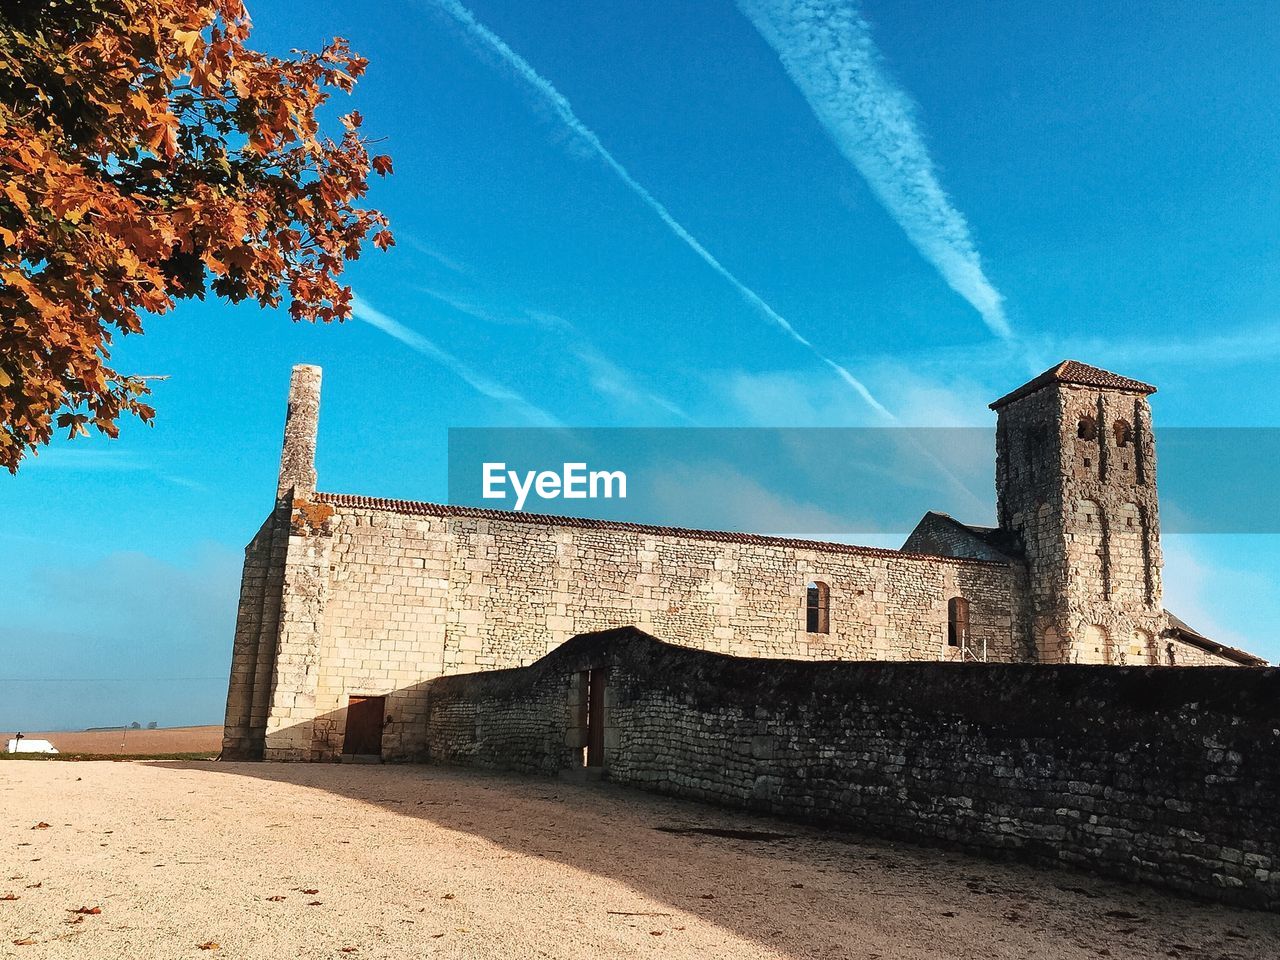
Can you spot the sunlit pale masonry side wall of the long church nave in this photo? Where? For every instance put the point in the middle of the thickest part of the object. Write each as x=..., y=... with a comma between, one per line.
x=414, y=596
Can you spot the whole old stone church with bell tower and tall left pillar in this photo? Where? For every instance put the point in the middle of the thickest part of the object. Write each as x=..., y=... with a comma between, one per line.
x=350, y=605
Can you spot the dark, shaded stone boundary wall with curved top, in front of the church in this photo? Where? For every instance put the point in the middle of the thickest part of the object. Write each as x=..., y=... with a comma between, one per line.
x=1156, y=775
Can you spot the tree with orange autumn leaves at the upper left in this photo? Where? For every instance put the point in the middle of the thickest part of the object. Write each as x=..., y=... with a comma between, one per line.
x=148, y=154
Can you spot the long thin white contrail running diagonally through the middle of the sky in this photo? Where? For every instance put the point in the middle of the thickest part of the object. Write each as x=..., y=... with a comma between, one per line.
x=565, y=111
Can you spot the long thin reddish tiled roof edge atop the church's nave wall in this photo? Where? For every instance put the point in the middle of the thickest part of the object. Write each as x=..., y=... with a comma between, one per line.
x=422, y=509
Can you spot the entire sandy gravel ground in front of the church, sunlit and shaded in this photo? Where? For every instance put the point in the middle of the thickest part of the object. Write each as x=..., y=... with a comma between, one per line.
x=286, y=861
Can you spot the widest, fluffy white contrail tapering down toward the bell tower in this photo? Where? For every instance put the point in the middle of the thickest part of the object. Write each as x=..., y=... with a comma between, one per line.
x=828, y=49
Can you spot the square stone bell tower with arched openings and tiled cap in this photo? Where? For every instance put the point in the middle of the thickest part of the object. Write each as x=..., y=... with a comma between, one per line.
x=1076, y=482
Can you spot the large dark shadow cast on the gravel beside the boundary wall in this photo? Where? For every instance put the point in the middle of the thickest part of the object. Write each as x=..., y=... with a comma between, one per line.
x=794, y=889
